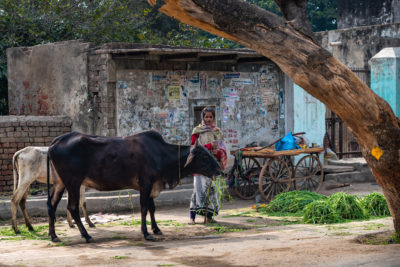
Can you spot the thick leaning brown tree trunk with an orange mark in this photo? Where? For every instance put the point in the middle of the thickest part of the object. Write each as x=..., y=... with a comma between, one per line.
x=290, y=44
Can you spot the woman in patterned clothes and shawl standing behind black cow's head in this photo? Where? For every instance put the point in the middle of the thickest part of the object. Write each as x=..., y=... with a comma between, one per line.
x=205, y=197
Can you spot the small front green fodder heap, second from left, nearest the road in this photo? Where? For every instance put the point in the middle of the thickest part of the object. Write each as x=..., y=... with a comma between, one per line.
x=320, y=211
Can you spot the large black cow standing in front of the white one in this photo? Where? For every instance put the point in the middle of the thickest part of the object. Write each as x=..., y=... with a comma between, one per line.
x=144, y=162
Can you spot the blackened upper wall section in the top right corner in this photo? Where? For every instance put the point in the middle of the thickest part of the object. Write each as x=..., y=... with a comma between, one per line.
x=357, y=13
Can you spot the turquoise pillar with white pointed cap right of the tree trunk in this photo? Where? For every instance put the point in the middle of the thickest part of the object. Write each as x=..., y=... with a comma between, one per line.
x=385, y=76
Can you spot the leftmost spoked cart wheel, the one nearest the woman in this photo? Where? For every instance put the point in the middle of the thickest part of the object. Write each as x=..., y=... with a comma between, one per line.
x=246, y=178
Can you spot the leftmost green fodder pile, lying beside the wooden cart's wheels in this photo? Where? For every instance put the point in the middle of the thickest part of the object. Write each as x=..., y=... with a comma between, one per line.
x=292, y=202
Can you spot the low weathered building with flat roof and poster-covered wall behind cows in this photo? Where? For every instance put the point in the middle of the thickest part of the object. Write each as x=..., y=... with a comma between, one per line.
x=121, y=89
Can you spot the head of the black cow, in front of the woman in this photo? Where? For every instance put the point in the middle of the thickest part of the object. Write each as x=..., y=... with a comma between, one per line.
x=202, y=162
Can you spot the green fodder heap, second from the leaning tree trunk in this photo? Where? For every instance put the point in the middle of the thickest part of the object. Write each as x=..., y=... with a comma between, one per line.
x=347, y=206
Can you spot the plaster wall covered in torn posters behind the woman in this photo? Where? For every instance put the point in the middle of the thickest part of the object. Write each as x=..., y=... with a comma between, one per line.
x=249, y=105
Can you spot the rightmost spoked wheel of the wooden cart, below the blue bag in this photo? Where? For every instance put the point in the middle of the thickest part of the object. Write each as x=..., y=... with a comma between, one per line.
x=309, y=173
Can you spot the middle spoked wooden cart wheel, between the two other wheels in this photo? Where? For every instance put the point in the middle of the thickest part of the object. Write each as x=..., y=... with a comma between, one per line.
x=274, y=178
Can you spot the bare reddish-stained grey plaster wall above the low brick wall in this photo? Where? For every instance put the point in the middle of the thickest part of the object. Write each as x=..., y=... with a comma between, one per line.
x=48, y=80
